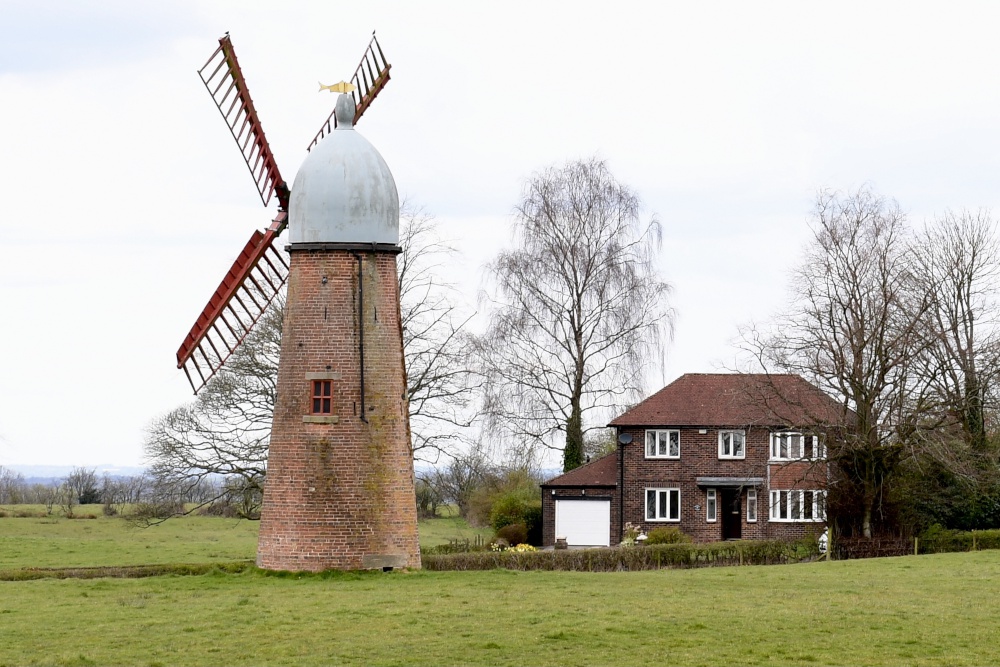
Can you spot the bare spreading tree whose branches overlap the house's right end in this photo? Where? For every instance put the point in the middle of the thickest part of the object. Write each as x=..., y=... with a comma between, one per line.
x=854, y=329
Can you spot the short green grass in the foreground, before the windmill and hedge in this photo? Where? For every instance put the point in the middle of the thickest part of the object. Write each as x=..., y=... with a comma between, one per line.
x=925, y=610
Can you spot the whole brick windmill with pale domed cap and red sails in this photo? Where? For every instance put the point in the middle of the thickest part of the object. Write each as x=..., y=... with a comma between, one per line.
x=339, y=492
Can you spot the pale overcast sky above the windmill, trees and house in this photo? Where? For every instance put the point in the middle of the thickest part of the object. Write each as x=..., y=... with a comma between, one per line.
x=125, y=199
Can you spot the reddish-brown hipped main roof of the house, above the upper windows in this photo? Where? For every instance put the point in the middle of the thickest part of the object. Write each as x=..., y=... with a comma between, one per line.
x=732, y=399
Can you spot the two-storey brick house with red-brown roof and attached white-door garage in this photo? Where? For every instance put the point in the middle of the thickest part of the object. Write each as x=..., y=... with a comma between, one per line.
x=720, y=456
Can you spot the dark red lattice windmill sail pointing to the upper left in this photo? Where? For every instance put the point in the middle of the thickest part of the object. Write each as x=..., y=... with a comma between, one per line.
x=225, y=83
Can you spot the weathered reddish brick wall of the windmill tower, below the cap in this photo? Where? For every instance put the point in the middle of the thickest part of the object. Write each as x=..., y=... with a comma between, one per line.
x=340, y=495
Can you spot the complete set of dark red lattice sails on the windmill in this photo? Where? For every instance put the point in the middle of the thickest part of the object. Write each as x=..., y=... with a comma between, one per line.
x=260, y=270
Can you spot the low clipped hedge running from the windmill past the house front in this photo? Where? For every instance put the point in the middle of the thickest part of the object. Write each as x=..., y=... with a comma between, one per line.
x=616, y=559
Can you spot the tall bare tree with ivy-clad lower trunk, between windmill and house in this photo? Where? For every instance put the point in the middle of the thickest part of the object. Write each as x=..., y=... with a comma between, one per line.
x=578, y=310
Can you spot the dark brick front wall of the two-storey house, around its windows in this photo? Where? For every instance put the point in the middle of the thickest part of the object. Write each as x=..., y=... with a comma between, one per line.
x=699, y=458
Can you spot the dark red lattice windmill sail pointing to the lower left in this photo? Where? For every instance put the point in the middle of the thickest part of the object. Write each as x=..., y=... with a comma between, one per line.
x=245, y=293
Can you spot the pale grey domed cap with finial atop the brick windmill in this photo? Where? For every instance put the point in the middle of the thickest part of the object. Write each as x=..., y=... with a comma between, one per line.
x=344, y=191
